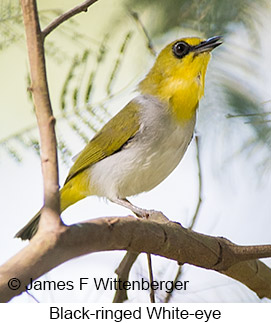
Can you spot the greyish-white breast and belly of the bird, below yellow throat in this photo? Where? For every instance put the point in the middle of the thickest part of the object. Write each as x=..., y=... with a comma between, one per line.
x=149, y=157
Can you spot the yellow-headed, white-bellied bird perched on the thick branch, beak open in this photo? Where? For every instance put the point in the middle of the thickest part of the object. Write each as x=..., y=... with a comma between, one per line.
x=144, y=142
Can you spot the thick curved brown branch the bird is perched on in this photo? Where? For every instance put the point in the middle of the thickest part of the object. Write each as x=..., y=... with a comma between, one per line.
x=165, y=238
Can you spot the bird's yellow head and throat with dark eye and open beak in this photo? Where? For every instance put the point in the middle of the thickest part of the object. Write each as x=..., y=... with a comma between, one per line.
x=178, y=73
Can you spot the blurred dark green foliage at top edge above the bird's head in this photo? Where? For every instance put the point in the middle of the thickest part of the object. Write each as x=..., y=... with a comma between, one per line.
x=208, y=16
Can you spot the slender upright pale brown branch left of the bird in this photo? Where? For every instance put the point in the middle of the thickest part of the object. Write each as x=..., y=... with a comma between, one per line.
x=44, y=114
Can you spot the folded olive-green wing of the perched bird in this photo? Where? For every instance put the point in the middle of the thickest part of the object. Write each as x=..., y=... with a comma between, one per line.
x=109, y=139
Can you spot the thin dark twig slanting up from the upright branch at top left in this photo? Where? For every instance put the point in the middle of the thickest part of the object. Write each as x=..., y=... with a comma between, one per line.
x=67, y=15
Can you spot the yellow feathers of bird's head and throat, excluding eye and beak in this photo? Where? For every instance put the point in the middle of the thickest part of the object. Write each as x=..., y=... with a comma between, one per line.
x=179, y=82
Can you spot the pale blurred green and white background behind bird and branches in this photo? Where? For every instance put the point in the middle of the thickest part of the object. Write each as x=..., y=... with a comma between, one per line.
x=94, y=63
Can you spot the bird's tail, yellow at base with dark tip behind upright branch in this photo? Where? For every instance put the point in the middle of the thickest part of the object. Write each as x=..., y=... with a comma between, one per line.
x=76, y=189
